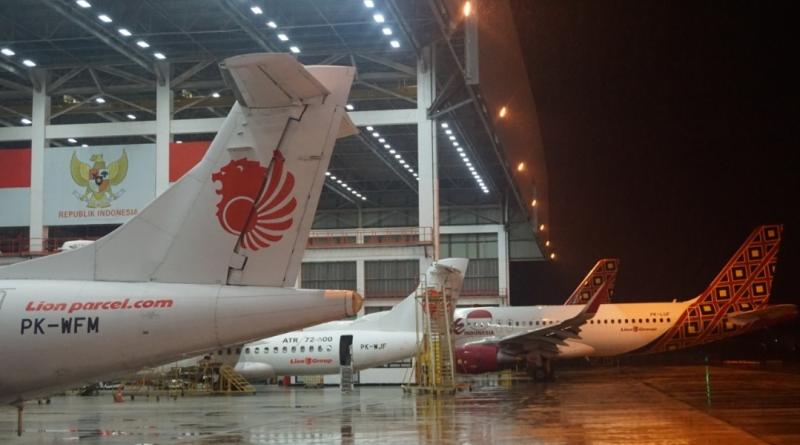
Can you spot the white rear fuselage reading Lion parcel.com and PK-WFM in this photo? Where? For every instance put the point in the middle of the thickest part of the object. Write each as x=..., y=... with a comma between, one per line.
x=59, y=334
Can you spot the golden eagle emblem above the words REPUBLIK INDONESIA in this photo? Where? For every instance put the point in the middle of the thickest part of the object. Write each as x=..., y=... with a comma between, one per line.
x=97, y=179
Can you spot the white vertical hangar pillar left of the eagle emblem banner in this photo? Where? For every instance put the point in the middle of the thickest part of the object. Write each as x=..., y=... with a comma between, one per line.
x=40, y=117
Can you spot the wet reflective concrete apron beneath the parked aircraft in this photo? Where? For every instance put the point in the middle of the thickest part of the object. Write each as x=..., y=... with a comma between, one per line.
x=658, y=405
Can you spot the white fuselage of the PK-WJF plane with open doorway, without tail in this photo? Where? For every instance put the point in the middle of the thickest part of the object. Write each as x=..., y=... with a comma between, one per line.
x=321, y=350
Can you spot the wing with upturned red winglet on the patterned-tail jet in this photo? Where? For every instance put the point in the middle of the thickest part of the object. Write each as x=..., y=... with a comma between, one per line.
x=546, y=339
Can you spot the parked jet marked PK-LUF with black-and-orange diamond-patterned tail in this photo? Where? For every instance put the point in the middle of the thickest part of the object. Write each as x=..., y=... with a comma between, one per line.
x=734, y=303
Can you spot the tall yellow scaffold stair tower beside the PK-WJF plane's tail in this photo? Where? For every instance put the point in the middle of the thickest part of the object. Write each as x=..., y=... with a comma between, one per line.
x=434, y=369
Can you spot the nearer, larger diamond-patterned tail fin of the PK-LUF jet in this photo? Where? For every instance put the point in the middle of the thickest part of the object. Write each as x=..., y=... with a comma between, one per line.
x=743, y=285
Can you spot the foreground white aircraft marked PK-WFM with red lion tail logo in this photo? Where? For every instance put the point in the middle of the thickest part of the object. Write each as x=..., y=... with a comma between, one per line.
x=205, y=265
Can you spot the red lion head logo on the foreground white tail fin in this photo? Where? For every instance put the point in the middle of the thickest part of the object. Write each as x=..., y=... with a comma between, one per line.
x=261, y=223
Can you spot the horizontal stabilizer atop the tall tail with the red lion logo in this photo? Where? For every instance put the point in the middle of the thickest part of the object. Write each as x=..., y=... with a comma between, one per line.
x=280, y=82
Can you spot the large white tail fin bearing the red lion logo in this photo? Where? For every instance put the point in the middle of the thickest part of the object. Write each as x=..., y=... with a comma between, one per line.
x=243, y=213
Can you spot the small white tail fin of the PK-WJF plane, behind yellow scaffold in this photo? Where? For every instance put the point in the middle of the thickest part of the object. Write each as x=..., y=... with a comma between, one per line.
x=446, y=273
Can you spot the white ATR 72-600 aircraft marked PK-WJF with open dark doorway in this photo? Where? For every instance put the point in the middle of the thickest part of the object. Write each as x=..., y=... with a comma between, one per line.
x=373, y=340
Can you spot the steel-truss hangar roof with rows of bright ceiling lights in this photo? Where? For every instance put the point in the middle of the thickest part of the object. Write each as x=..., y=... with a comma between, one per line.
x=87, y=55
